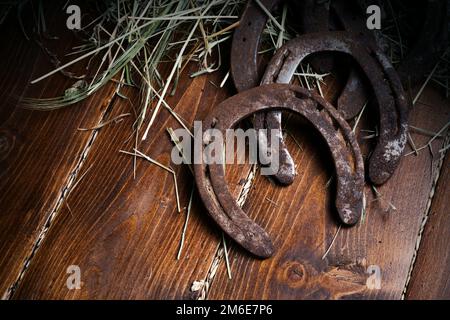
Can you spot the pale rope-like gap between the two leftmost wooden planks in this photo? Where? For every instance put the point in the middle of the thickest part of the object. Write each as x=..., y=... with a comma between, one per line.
x=63, y=195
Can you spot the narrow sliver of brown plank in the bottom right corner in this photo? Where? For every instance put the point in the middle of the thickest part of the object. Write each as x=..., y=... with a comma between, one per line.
x=430, y=278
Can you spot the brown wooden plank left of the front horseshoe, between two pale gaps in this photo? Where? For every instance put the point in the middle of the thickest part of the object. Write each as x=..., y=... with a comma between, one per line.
x=123, y=232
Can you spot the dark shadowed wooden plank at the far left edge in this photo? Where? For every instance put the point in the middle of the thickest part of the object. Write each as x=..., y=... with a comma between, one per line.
x=39, y=151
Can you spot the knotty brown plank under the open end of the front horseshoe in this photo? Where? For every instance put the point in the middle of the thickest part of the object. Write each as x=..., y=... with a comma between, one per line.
x=302, y=223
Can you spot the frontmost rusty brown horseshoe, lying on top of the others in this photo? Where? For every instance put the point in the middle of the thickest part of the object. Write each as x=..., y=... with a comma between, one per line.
x=345, y=152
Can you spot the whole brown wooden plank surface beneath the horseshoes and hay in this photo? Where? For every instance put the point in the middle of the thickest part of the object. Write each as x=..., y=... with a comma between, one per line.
x=68, y=197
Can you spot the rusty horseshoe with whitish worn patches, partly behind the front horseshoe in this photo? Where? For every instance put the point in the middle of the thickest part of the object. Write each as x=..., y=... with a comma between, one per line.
x=391, y=99
